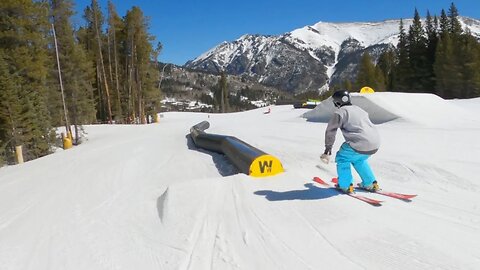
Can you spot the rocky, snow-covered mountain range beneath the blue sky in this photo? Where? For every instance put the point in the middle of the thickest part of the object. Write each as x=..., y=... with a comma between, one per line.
x=308, y=58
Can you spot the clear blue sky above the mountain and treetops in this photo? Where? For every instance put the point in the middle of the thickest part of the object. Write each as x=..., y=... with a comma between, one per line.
x=187, y=28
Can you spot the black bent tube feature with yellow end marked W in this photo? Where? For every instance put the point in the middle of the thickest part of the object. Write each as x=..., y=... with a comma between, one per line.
x=246, y=158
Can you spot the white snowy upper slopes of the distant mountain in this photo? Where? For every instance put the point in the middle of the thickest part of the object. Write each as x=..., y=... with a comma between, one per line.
x=320, y=35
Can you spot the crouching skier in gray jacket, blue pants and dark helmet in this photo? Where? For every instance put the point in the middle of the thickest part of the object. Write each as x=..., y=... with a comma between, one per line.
x=361, y=141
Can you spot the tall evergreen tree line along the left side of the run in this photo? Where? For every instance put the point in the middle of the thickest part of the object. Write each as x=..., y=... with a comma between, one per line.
x=108, y=67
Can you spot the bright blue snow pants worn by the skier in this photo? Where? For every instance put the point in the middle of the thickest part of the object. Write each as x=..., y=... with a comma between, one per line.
x=346, y=156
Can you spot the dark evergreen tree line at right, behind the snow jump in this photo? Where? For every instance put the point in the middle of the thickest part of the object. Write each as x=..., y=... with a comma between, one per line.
x=437, y=56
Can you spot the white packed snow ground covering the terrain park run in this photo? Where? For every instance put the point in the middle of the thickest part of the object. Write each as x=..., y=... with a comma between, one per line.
x=144, y=197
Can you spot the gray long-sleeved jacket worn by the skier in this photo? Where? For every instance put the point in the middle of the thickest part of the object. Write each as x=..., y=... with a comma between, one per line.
x=359, y=132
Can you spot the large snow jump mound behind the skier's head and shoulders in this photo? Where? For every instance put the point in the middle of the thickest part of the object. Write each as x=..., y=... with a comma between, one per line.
x=423, y=109
